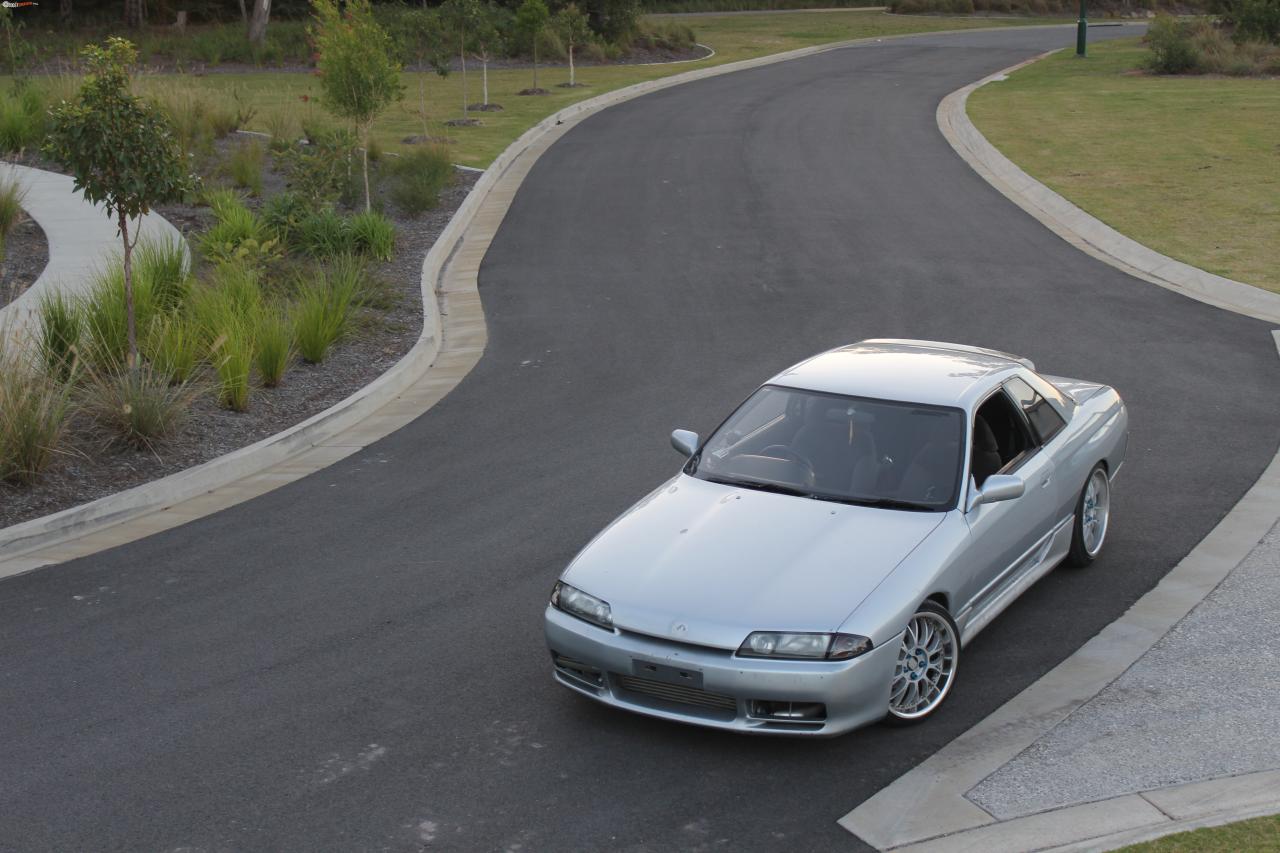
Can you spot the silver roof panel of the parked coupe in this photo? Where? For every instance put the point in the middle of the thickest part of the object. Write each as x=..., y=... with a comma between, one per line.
x=924, y=372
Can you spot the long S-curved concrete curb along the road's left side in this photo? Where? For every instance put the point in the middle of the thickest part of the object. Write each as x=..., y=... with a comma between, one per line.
x=451, y=344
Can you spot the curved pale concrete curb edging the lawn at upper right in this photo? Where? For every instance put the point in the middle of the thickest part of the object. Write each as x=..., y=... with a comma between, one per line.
x=1081, y=230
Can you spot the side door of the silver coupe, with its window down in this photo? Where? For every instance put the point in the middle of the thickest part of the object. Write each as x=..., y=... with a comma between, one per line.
x=1009, y=537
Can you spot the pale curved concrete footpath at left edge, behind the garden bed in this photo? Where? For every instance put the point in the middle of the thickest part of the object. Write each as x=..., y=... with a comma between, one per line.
x=81, y=240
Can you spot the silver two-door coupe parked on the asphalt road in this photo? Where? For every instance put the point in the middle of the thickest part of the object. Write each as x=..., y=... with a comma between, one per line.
x=824, y=558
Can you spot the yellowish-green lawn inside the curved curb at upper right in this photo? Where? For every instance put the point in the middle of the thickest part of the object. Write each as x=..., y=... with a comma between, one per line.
x=1187, y=166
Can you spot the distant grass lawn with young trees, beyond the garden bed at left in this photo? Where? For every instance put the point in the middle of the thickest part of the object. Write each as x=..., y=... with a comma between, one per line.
x=739, y=37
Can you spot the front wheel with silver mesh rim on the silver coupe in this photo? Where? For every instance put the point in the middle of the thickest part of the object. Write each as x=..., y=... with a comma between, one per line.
x=926, y=670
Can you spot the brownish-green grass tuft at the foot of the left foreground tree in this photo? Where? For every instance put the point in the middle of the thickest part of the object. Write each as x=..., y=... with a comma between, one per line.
x=139, y=407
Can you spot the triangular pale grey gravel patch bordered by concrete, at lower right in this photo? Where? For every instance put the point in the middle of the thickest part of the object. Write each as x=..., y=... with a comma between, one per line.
x=1200, y=705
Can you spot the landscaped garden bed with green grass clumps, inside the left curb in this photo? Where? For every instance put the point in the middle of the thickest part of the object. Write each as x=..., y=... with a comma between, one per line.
x=300, y=290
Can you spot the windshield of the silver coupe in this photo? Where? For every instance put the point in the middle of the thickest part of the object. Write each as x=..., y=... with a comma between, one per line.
x=839, y=449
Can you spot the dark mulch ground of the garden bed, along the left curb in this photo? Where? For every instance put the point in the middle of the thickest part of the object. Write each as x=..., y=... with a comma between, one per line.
x=90, y=469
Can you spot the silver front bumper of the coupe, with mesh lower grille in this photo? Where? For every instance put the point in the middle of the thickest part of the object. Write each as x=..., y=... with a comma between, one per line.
x=714, y=688
